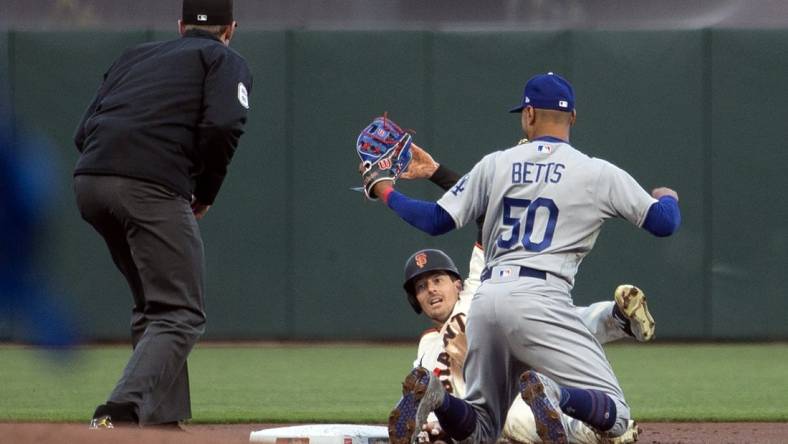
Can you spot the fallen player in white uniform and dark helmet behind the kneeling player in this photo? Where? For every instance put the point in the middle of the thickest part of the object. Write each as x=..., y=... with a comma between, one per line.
x=434, y=288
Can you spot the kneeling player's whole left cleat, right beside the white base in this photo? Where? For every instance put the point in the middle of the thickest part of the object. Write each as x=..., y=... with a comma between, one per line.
x=421, y=393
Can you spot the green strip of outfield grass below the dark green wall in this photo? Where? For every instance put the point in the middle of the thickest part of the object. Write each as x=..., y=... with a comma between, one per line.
x=359, y=383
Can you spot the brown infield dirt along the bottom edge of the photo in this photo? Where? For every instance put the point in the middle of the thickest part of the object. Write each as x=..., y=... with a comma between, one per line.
x=652, y=433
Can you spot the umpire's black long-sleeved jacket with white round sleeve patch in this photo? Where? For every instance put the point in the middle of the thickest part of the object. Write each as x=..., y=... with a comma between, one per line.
x=168, y=112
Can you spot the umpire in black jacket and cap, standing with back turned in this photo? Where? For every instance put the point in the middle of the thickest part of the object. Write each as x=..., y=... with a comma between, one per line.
x=155, y=144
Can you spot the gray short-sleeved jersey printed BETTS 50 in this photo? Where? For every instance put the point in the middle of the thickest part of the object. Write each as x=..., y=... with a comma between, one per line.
x=523, y=191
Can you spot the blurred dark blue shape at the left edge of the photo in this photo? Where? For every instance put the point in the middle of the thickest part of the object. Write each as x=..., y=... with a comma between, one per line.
x=25, y=189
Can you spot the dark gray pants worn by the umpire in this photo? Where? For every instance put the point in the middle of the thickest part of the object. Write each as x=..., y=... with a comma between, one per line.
x=155, y=242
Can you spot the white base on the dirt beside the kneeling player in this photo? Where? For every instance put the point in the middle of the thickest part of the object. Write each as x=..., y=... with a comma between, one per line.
x=323, y=434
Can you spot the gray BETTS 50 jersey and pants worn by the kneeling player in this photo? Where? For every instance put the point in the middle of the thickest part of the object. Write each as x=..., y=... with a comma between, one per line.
x=545, y=203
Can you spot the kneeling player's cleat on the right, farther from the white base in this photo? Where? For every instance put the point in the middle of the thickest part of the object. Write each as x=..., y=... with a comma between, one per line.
x=543, y=397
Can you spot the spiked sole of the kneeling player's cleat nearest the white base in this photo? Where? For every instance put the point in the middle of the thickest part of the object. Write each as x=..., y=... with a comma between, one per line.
x=402, y=420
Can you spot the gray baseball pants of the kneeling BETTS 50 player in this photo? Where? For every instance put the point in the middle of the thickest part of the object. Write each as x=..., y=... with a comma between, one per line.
x=521, y=323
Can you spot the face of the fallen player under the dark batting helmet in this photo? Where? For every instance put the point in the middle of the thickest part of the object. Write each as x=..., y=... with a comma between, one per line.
x=437, y=294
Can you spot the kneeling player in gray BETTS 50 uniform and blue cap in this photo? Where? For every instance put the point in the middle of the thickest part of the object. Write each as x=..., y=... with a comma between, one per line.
x=545, y=203
